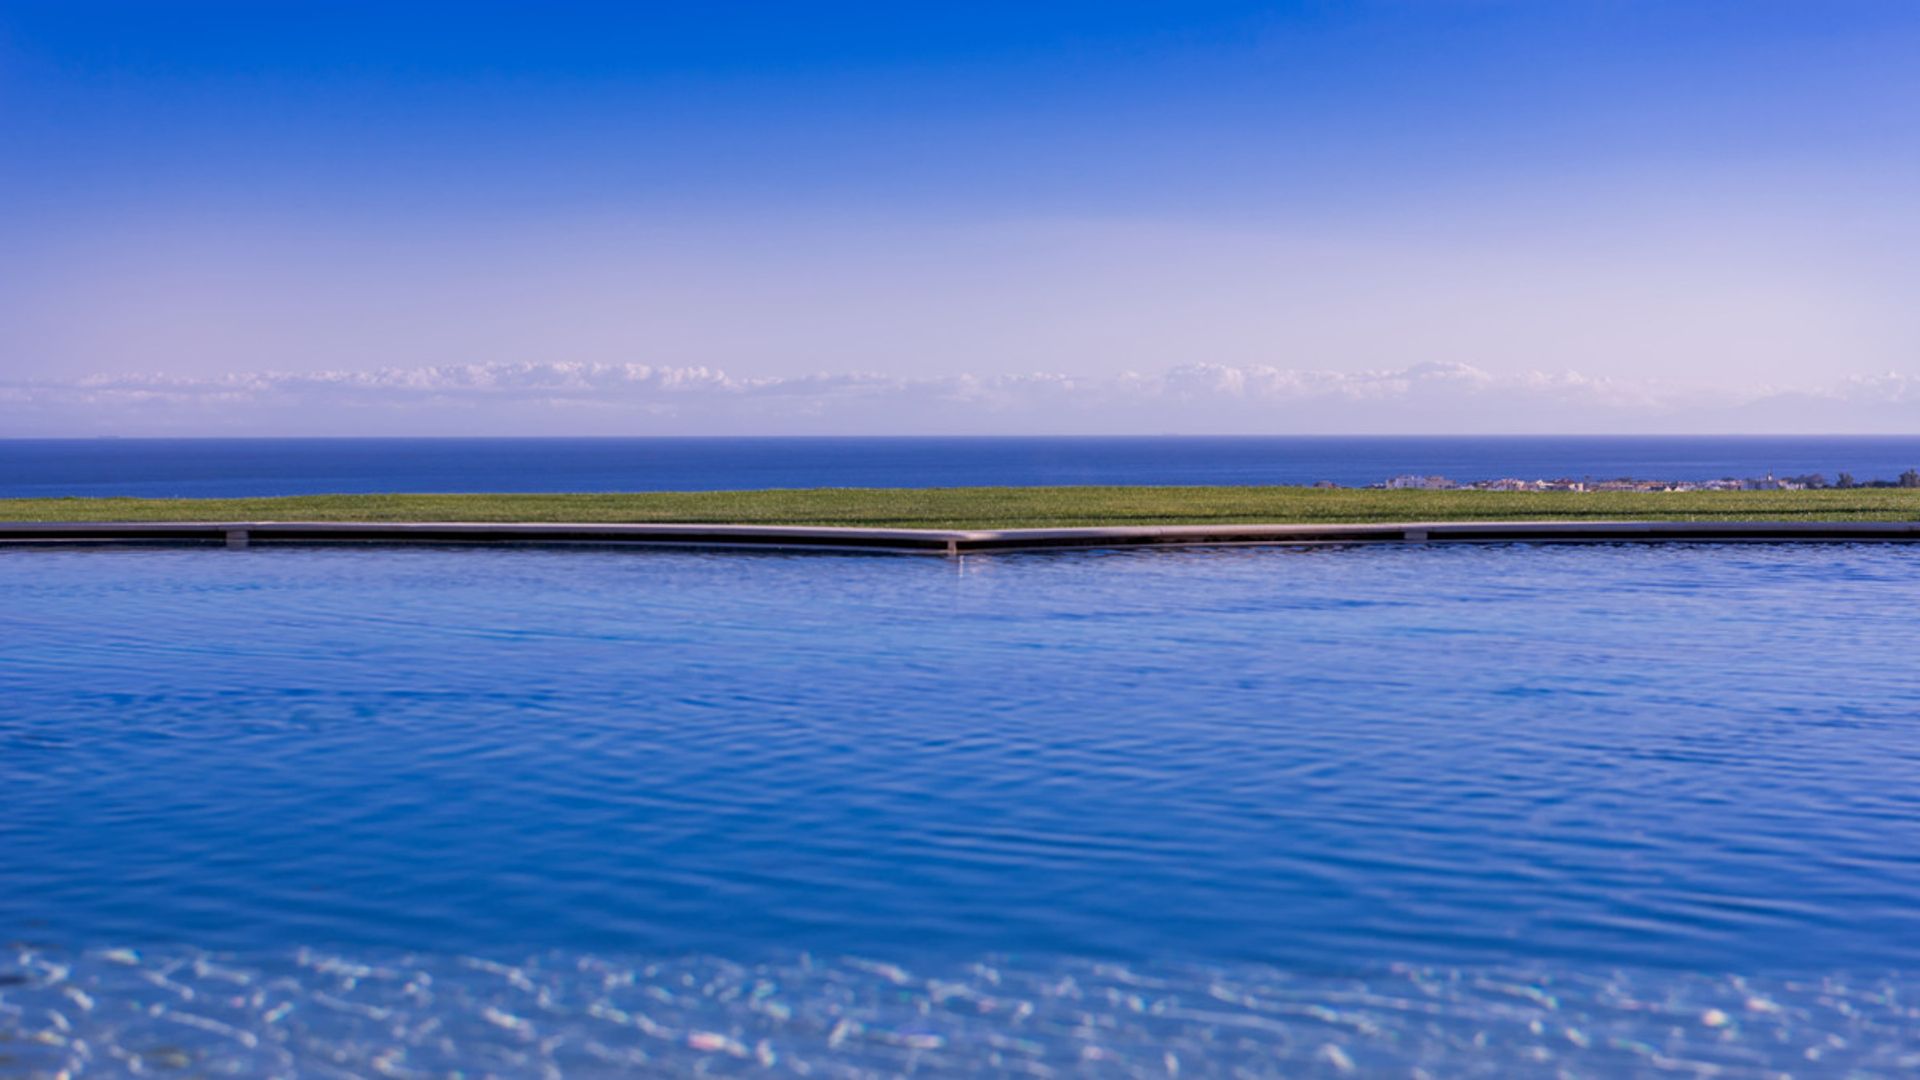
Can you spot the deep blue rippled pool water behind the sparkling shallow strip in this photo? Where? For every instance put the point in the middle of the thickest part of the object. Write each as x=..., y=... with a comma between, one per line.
x=1694, y=758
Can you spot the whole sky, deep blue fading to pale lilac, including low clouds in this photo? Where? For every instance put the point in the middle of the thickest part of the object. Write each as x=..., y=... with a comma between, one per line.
x=627, y=218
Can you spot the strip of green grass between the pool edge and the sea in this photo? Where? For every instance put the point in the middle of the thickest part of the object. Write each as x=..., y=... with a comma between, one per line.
x=1007, y=508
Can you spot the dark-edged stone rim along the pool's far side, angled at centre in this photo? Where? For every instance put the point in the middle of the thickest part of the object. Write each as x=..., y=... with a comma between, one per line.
x=948, y=541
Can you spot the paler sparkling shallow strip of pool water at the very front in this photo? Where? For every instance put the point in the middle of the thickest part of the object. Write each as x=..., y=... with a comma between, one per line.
x=130, y=1012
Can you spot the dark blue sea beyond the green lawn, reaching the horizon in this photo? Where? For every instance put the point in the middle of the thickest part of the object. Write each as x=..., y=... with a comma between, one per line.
x=318, y=466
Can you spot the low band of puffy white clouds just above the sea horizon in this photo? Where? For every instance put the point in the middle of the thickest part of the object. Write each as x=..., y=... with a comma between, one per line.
x=638, y=399
